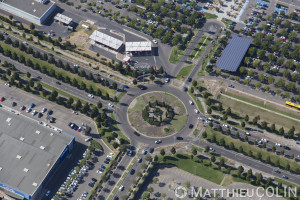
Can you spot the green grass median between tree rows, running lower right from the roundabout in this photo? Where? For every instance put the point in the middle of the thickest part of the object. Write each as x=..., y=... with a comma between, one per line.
x=246, y=147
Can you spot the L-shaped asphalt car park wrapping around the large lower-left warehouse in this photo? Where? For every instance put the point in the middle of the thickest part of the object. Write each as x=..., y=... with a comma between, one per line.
x=62, y=117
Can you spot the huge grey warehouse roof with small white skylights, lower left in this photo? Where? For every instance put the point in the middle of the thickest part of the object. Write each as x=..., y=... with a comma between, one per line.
x=28, y=151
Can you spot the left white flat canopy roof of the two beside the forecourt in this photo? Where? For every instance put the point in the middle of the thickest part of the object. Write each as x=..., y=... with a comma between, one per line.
x=106, y=40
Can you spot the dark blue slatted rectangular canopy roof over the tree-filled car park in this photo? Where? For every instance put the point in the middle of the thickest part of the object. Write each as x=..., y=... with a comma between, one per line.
x=233, y=54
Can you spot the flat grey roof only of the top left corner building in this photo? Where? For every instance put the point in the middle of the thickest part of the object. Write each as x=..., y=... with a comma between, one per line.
x=30, y=6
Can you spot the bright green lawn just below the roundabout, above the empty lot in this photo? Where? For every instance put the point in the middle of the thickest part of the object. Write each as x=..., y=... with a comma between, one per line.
x=184, y=162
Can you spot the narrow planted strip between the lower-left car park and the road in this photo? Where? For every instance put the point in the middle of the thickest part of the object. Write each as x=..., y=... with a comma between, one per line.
x=105, y=175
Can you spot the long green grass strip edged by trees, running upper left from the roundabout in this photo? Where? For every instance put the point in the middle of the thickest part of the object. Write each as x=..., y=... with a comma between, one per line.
x=57, y=70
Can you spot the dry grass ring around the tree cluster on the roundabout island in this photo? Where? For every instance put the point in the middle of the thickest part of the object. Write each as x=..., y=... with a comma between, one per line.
x=139, y=104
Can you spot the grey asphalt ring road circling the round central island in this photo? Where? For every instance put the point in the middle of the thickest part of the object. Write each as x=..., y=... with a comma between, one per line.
x=136, y=136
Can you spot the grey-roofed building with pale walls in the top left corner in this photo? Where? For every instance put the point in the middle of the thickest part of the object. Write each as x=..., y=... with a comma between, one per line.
x=35, y=11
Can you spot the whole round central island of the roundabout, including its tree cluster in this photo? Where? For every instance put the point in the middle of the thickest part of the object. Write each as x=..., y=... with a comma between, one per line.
x=157, y=114
